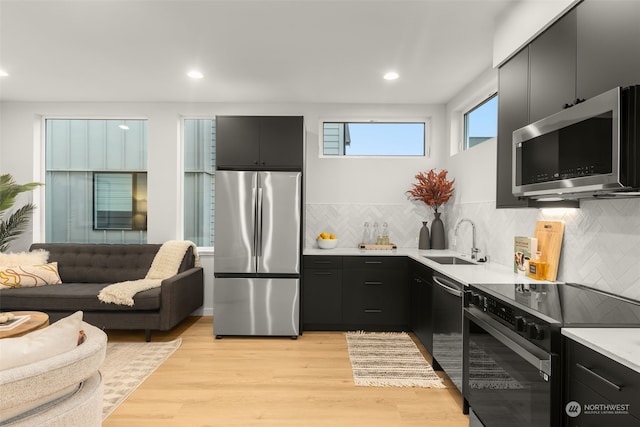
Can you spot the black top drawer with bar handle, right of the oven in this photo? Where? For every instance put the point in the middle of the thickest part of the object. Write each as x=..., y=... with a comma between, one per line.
x=610, y=379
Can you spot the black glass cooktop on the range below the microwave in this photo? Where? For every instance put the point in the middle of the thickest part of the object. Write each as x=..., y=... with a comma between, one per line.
x=567, y=304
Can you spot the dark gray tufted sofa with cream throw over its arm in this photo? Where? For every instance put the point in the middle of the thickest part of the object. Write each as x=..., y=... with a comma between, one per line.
x=86, y=268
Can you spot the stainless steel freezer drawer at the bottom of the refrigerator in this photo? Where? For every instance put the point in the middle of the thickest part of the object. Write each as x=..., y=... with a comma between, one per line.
x=261, y=307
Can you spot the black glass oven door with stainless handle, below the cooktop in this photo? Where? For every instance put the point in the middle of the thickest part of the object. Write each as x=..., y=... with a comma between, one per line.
x=507, y=381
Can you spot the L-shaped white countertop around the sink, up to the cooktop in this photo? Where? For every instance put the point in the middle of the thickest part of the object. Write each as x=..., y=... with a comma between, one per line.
x=481, y=273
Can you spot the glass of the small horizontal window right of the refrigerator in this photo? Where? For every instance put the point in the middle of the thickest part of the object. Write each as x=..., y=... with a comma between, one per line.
x=373, y=139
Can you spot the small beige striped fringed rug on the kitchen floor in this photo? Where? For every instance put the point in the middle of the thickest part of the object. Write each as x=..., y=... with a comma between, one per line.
x=389, y=360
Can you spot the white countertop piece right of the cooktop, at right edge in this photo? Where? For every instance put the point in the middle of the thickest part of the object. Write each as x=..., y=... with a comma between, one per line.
x=619, y=344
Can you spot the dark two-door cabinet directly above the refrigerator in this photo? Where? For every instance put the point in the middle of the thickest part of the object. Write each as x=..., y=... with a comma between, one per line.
x=259, y=142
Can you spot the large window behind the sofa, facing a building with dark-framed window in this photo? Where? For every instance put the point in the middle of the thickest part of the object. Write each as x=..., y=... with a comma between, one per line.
x=95, y=181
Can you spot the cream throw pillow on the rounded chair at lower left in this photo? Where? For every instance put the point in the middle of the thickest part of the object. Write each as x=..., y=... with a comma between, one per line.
x=57, y=338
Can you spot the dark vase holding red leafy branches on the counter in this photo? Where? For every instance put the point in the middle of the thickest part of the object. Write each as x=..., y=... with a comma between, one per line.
x=434, y=189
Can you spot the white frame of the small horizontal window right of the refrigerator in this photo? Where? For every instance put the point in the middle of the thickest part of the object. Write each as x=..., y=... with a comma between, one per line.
x=426, y=121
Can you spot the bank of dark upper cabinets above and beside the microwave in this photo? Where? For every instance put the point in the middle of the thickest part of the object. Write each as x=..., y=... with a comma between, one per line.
x=591, y=49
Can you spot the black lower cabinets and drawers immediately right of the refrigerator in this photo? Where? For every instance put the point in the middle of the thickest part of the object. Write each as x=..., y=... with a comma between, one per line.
x=355, y=293
